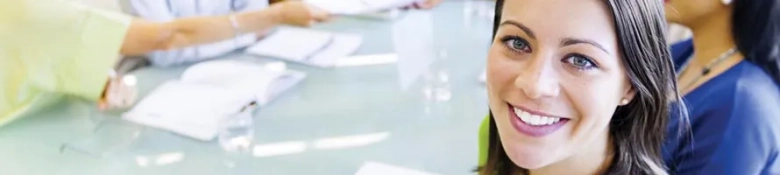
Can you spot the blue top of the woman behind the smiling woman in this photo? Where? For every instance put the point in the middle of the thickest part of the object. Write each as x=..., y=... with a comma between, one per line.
x=734, y=121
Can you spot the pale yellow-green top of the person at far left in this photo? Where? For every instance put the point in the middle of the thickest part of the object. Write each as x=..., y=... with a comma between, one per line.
x=54, y=47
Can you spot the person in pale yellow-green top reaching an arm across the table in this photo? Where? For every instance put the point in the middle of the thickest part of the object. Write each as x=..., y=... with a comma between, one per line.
x=65, y=47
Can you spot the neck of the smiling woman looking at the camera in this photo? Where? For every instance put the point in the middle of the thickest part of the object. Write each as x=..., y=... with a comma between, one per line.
x=594, y=159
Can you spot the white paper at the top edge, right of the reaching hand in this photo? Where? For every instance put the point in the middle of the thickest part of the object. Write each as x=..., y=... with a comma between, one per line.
x=354, y=7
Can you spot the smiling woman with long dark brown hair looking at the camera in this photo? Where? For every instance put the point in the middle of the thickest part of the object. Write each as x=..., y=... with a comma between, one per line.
x=587, y=94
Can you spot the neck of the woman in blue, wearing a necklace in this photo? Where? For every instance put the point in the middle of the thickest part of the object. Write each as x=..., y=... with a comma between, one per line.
x=711, y=37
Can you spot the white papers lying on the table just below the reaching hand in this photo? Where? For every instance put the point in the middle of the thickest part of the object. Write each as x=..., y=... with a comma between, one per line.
x=306, y=46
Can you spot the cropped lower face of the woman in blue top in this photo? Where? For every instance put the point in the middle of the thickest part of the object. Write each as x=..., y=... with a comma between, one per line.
x=686, y=12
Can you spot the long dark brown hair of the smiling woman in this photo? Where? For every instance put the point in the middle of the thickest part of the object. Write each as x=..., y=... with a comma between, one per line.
x=638, y=128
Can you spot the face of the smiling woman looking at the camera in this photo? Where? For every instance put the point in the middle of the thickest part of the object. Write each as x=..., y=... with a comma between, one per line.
x=555, y=78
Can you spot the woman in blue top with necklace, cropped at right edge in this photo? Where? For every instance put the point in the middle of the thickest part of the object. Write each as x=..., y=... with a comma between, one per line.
x=729, y=76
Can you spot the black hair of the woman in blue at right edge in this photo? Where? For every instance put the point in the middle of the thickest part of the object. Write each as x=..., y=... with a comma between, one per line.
x=755, y=26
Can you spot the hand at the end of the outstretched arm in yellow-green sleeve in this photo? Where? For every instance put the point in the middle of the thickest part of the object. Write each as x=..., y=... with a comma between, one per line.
x=299, y=13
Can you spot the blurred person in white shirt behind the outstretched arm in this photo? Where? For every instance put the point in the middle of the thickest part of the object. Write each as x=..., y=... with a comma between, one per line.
x=168, y=10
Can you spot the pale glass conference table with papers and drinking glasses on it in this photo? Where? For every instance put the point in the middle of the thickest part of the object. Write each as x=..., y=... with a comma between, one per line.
x=419, y=113
